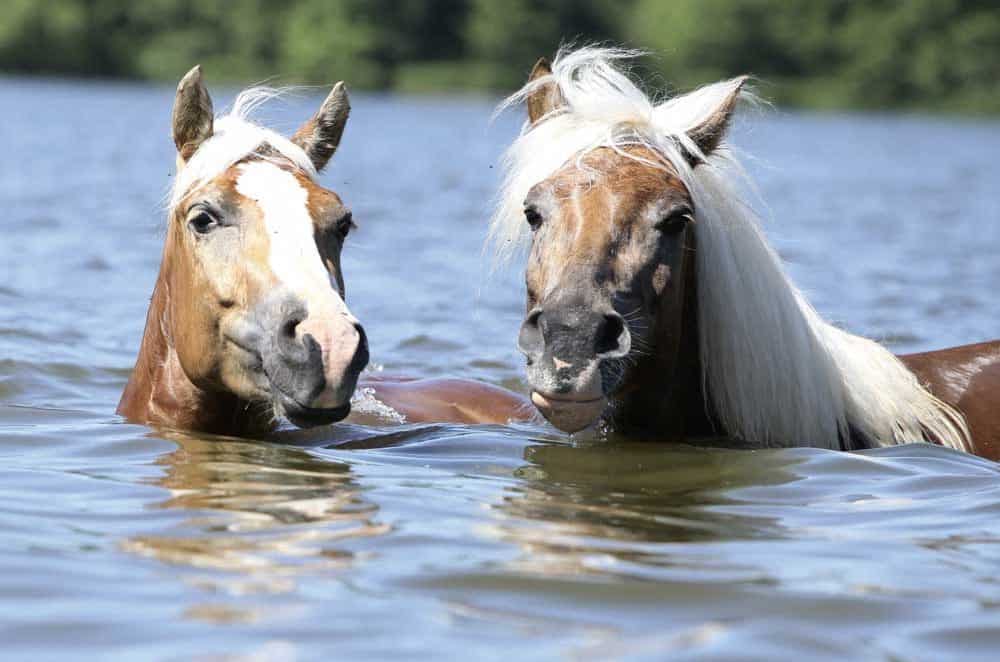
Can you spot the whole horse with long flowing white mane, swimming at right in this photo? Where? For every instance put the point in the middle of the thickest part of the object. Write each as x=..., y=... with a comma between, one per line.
x=656, y=305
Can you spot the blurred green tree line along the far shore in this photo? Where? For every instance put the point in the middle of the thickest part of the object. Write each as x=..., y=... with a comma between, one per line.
x=935, y=54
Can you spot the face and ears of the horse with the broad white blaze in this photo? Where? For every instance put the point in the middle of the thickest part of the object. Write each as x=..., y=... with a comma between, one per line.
x=256, y=291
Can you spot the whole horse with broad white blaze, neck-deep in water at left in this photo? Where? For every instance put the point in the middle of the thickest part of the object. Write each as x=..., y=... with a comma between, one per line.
x=248, y=323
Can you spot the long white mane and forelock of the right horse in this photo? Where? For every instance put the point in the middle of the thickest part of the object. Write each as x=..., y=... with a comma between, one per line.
x=776, y=372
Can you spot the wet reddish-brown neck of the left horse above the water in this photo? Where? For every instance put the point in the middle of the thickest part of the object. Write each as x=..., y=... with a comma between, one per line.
x=159, y=392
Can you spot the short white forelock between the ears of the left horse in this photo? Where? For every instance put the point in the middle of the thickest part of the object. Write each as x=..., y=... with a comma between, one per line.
x=233, y=139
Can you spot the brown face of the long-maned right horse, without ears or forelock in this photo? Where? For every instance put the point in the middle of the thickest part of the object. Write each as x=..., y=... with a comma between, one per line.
x=607, y=262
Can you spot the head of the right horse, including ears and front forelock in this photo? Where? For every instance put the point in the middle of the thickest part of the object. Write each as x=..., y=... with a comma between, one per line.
x=610, y=221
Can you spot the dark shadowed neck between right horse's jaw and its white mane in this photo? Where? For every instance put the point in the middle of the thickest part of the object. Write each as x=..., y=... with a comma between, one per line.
x=666, y=397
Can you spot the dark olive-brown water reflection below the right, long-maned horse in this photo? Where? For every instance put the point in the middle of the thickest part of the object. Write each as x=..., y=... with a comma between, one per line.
x=619, y=508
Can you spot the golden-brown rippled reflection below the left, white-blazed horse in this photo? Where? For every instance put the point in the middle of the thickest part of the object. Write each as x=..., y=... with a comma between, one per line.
x=262, y=513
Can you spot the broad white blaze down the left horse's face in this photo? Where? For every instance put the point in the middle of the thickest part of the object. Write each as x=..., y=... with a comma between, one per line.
x=294, y=258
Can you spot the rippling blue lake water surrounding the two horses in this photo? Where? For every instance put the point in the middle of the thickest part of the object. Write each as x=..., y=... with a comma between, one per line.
x=121, y=541
